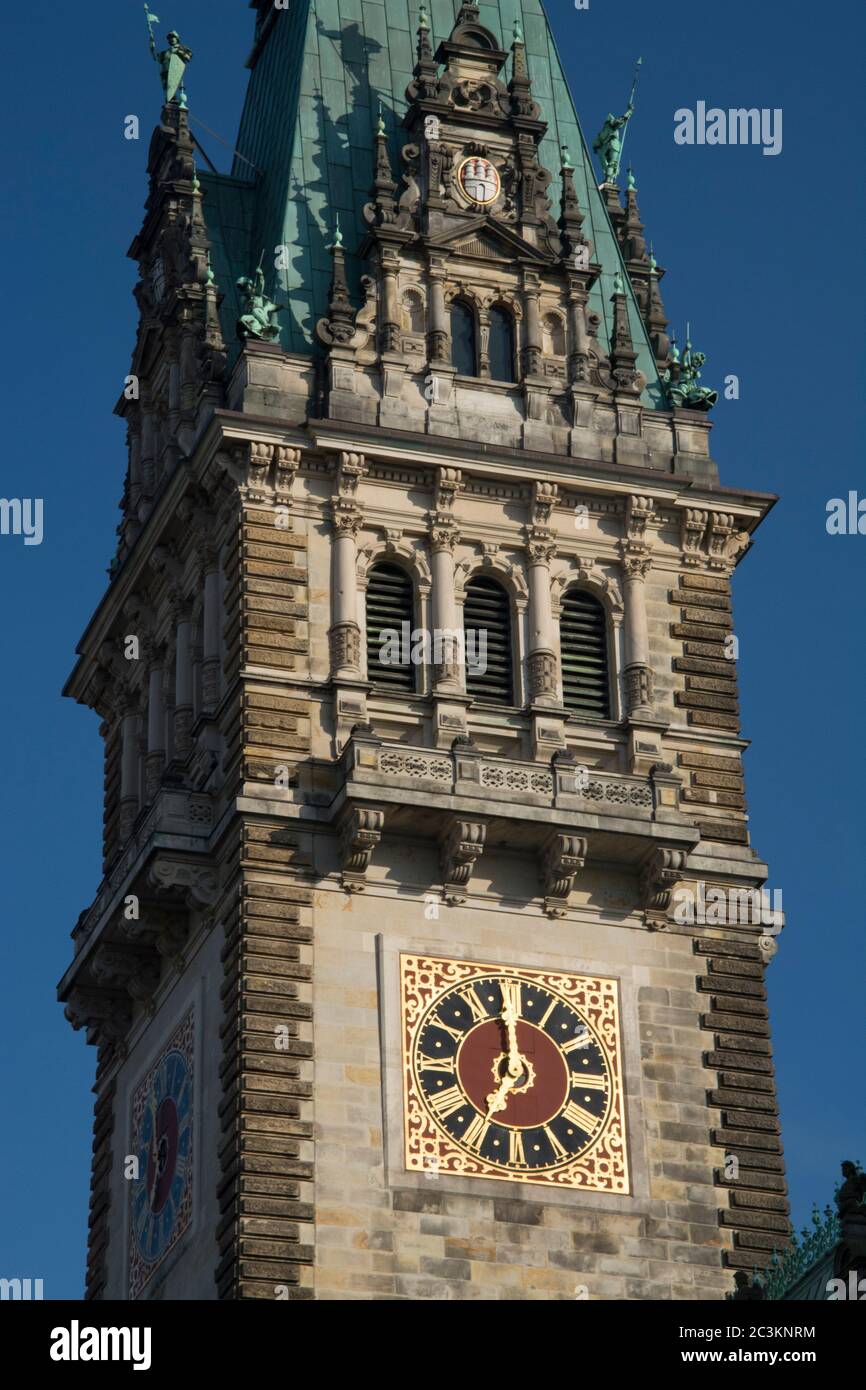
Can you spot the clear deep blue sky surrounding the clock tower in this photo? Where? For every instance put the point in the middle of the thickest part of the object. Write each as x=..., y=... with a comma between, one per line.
x=762, y=255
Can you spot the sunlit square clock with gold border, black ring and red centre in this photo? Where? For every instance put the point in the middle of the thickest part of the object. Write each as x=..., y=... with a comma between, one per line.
x=514, y=1074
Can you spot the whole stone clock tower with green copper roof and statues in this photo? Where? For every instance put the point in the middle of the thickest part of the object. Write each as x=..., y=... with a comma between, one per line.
x=419, y=712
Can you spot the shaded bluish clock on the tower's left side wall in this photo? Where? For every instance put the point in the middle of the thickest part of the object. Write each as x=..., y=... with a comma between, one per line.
x=163, y=1134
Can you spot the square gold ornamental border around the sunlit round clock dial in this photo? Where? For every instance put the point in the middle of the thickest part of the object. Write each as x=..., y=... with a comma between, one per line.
x=604, y=1166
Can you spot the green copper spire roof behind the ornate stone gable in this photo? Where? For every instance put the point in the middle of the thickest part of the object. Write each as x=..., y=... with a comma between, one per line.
x=308, y=127
